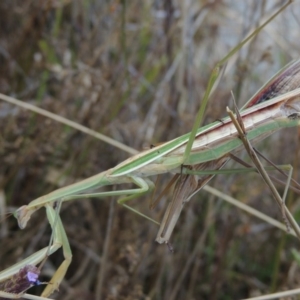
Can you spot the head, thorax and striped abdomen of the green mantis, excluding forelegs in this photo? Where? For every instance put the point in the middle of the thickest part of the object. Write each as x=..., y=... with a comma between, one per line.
x=212, y=143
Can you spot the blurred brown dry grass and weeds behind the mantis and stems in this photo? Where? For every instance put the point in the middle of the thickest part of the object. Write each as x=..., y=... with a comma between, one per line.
x=136, y=71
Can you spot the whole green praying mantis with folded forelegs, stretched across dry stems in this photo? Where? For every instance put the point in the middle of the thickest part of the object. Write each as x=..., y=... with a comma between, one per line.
x=212, y=143
